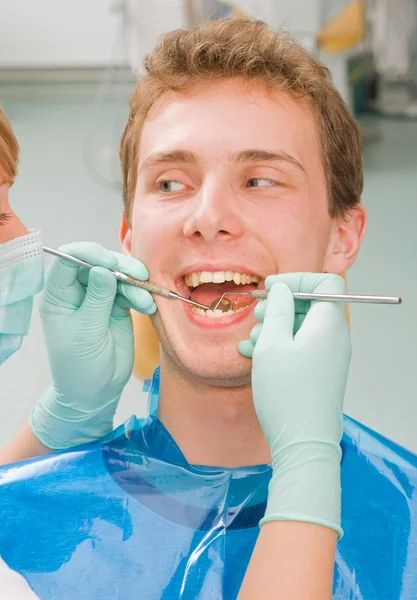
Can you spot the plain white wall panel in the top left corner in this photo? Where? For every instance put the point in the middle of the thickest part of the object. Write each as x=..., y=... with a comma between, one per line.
x=59, y=33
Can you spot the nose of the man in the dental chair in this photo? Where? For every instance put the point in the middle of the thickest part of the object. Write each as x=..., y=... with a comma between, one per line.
x=213, y=215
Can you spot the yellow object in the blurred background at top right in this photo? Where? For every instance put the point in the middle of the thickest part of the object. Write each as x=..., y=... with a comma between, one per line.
x=345, y=30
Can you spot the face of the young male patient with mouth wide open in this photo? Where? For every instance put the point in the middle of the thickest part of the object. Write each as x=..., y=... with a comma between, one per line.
x=230, y=183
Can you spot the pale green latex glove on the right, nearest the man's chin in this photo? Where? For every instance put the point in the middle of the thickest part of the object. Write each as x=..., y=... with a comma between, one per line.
x=298, y=384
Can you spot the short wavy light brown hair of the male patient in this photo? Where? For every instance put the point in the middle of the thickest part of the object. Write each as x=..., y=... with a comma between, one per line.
x=231, y=48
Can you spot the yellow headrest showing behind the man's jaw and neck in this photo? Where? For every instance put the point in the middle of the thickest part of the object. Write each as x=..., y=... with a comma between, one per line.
x=147, y=345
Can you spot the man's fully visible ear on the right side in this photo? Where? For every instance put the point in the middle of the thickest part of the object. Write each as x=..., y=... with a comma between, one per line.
x=345, y=241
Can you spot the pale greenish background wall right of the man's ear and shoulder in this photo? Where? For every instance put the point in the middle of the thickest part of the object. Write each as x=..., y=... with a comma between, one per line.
x=382, y=390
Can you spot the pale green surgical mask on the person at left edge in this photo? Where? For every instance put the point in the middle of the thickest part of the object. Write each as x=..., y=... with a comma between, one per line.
x=21, y=278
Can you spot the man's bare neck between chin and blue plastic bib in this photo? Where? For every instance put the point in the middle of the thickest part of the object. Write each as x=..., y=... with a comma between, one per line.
x=212, y=426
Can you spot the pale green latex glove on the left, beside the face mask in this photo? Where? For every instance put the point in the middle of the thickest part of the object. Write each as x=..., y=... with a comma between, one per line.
x=89, y=337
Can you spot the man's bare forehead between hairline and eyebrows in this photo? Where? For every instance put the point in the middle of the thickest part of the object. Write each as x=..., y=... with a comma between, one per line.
x=220, y=118
